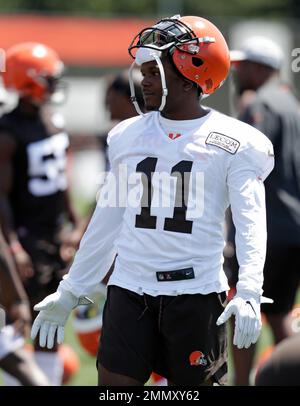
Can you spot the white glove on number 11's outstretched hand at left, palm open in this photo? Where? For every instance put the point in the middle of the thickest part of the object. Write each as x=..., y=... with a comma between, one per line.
x=54, y=312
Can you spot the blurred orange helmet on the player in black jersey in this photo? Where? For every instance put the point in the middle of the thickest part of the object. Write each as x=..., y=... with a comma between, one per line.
x=32, y=69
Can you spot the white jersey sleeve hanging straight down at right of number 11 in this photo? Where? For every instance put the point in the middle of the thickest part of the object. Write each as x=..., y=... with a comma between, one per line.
x=246, y=191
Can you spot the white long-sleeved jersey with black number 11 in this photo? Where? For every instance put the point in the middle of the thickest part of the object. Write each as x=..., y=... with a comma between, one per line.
x=171, y=241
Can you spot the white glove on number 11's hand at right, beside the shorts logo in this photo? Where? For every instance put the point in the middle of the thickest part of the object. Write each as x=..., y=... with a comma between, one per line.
x=248, y=324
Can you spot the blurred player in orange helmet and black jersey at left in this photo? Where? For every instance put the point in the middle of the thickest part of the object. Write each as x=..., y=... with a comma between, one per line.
x=34, y=200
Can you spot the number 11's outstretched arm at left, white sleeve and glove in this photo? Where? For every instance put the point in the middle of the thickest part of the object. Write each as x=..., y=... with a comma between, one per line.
x=91, y=263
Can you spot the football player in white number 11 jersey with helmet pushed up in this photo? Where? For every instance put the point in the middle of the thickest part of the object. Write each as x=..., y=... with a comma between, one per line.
x=174, y=171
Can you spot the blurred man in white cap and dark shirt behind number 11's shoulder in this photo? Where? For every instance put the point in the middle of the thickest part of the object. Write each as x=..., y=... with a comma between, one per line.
x=268, y=105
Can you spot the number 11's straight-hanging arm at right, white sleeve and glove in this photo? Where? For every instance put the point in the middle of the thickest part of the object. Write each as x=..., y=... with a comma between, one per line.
x=247, y=198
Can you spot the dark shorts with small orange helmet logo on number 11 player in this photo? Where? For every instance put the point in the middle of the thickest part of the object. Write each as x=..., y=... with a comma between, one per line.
x=174, y=336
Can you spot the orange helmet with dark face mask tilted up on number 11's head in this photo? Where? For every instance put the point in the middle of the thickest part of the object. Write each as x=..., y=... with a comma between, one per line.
x=196, y=46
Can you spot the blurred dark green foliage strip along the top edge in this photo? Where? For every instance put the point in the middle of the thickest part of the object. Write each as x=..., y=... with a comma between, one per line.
x=266, y=8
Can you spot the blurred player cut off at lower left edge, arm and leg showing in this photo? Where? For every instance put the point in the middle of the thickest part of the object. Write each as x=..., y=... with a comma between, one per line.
x=14, y=359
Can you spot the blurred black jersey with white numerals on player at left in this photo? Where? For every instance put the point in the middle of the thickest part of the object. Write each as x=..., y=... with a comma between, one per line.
x=39, y=164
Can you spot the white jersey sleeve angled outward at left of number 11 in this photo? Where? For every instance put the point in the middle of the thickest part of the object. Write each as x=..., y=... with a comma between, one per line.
x=97, y=250
